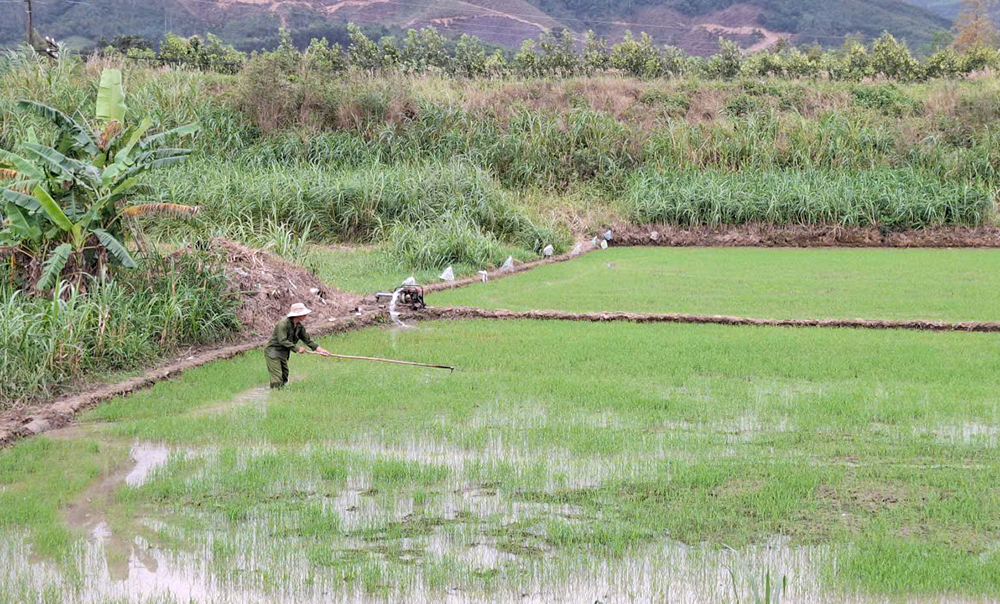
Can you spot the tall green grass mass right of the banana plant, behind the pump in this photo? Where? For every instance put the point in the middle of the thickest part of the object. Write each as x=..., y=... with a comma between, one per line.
x=411, y=205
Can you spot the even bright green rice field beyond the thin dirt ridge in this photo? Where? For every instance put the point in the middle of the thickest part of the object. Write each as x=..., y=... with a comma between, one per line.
x=946, y=284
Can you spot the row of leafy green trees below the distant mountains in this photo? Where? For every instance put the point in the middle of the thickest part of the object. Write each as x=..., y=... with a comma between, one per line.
x=561, y=54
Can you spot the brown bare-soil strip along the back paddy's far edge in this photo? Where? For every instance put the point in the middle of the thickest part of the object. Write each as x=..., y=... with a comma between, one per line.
x=763, y=235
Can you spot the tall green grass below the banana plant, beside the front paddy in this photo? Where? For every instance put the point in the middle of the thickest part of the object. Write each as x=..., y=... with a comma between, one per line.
x=117, y=325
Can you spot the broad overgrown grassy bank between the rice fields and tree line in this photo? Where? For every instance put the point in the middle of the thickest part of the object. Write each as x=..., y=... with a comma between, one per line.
x=354, y=139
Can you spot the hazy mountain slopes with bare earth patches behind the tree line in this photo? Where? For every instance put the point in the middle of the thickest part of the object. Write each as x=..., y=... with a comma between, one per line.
x=693, y=25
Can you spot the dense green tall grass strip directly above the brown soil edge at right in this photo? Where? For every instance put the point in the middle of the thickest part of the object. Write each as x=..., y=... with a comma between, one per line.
x=889, y=199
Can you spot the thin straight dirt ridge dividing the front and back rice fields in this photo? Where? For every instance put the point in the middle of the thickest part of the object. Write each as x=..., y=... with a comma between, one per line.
x=462, y=312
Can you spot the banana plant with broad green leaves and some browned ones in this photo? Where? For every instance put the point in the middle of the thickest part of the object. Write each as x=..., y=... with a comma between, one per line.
x=62, y=200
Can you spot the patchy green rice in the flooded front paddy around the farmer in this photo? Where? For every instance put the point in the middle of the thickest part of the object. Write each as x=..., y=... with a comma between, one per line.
x=851, y=448
